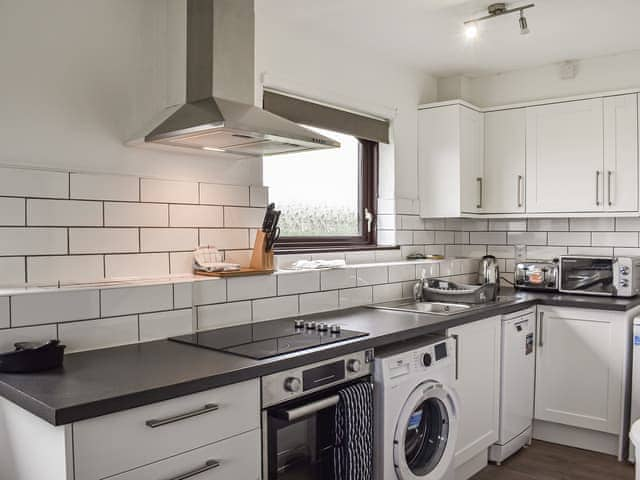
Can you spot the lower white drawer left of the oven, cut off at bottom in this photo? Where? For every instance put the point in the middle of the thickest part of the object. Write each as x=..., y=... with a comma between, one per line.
x=234, y=458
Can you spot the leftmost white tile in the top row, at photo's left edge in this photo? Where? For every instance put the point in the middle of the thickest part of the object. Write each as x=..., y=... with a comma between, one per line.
x=33, y=183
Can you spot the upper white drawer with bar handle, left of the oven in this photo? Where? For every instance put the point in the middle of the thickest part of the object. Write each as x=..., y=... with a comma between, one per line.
x=125, y=440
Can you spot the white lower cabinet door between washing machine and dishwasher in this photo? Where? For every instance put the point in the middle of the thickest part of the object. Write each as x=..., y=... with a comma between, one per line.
x=477, y=385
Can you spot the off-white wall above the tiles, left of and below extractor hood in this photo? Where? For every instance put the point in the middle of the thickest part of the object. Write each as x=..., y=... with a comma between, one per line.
x=79, y=77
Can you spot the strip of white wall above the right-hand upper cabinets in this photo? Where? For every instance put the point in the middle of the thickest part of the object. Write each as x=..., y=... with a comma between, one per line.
x=612, y=72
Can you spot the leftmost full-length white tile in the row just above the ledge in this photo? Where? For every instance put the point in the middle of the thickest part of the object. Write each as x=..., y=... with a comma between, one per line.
x=65, y=269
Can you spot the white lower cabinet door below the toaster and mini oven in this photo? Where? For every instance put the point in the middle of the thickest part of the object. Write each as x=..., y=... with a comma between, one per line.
x=579, y=368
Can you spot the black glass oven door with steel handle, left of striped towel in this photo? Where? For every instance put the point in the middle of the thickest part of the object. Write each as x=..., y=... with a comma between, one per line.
x=300, y=436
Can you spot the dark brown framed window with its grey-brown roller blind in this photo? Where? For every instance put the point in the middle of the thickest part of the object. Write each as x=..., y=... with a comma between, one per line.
x=327, y=197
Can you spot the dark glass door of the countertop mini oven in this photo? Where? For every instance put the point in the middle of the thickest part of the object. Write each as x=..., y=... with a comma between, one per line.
x=592, y=276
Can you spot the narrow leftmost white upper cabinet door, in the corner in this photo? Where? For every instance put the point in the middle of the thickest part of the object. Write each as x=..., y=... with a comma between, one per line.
x=473, y=187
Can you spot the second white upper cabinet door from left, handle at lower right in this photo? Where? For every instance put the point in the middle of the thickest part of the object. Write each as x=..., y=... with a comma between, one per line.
x=504, y=161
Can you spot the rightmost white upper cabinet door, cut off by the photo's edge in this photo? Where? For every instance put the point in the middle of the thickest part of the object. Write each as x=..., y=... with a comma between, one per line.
x=621, y=153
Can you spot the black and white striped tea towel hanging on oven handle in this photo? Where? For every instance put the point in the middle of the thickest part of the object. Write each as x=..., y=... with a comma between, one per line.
x=353, y=449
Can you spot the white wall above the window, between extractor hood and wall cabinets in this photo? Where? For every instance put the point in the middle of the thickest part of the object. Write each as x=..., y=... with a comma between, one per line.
x=327, y=67
